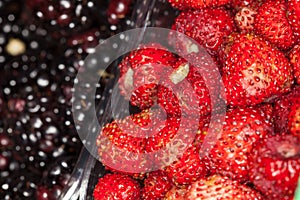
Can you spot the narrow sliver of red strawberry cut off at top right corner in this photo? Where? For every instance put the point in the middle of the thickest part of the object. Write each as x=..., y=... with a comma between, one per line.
x=294, y=16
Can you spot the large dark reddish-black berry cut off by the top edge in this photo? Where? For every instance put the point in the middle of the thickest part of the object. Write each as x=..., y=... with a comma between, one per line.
x=66, y=17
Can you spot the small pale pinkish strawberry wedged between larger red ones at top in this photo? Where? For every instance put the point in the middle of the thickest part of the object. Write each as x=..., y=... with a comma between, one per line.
x=244, y=19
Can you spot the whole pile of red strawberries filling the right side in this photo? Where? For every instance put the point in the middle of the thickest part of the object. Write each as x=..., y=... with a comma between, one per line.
x=254, y=153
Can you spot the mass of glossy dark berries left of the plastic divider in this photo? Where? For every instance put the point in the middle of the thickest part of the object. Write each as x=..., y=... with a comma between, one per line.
x=42, y=45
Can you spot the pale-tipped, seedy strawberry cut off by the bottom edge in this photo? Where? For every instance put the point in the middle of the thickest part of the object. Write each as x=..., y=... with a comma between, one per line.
x=218, y=187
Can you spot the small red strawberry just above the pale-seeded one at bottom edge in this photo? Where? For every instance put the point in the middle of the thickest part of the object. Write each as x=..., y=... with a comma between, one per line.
x=188, y=168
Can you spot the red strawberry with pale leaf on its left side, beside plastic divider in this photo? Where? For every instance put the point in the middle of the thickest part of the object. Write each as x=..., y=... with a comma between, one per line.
x=141, y=71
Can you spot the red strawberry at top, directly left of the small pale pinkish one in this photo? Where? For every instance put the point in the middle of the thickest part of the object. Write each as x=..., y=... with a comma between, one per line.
x=208, y=27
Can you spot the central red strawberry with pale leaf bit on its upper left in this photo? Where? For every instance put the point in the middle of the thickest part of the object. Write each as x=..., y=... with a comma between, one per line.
x=187, y=90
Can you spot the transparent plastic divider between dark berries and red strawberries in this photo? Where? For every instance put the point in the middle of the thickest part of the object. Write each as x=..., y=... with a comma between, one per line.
x=78, y=185
